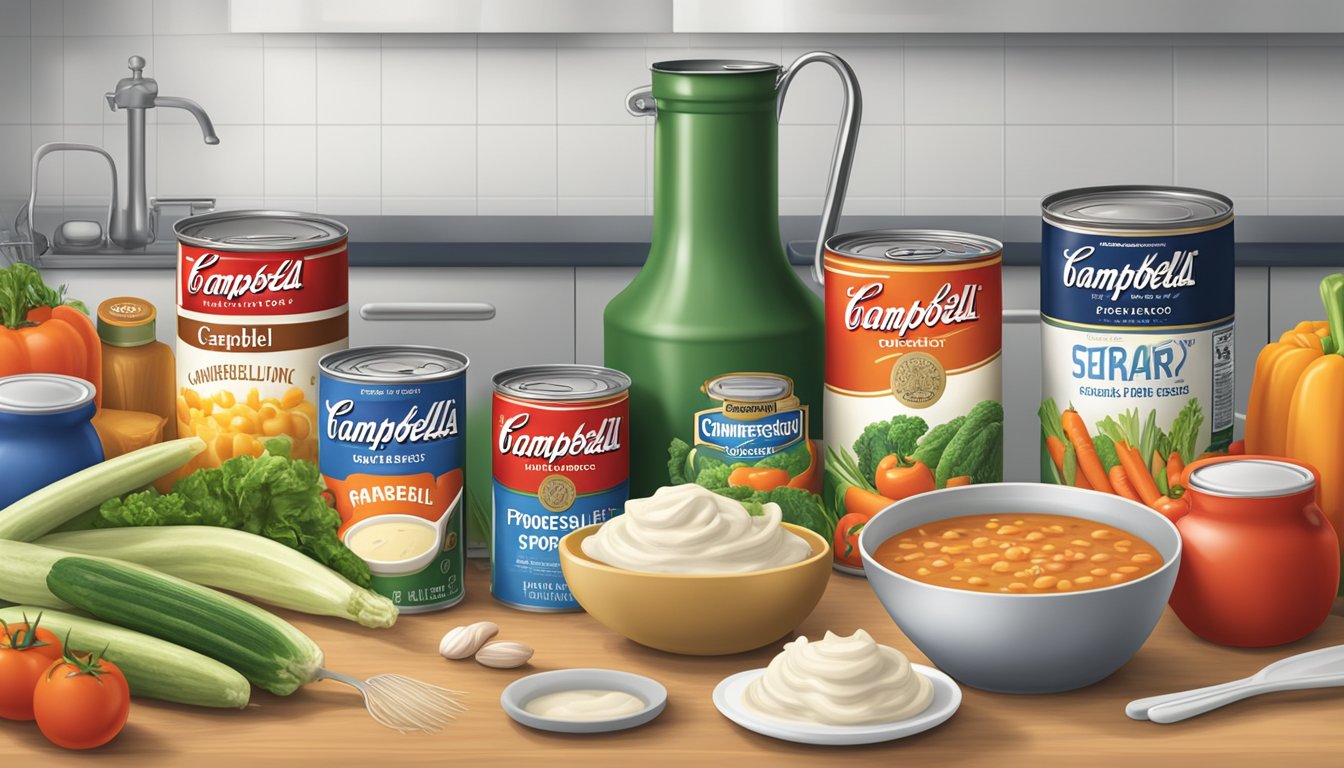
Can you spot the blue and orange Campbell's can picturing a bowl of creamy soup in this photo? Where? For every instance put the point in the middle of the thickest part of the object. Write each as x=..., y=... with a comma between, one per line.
x=392, y=454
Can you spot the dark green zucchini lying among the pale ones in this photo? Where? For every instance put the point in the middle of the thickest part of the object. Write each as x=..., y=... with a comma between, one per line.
x=268, y=652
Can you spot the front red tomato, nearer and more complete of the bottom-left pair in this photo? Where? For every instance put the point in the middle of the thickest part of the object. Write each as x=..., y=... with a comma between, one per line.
x=81, y=703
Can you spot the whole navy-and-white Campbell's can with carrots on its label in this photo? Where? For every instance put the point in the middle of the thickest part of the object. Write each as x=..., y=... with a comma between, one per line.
x=1138, y=328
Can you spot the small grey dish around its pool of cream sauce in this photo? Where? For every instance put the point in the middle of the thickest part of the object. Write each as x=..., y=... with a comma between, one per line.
x=523, y=691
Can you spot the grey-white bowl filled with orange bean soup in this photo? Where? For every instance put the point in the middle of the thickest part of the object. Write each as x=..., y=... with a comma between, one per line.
x=1023, y=587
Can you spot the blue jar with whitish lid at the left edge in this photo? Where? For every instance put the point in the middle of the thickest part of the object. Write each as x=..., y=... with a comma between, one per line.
x=46, y=432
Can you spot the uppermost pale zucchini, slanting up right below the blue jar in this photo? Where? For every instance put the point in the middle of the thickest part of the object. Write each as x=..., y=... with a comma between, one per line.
x=48, y=509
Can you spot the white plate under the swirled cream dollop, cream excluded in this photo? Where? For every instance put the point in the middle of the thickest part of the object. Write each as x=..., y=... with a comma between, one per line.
x=728, y=697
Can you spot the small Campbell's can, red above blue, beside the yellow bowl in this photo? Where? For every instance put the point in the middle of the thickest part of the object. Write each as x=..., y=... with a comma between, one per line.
x=561, y=462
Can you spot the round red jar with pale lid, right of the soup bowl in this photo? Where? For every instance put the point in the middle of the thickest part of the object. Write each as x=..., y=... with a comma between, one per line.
x=1261, y=564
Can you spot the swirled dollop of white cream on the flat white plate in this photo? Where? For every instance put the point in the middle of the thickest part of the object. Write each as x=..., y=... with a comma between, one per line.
x=841, y=681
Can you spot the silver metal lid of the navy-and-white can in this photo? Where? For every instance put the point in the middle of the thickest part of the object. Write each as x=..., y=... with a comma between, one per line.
x=1138, y=209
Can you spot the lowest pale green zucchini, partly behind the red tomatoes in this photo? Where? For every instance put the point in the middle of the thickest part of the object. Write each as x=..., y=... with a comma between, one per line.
x=154, y=668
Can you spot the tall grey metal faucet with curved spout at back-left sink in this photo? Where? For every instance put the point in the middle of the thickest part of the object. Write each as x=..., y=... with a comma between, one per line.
x=131, y=227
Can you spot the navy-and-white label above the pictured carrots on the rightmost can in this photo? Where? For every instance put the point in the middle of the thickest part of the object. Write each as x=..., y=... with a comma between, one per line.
x=1140, y=325
